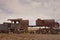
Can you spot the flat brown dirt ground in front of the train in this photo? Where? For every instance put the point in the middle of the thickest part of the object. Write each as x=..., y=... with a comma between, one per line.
x=29, y=36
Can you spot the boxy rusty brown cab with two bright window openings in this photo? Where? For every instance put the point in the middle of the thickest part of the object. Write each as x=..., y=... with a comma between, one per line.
x=19, y=25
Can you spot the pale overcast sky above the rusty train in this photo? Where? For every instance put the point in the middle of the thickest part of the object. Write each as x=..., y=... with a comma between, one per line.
x=29, y=9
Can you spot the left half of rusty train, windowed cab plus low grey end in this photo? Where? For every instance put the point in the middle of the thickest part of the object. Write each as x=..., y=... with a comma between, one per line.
x=16, y=26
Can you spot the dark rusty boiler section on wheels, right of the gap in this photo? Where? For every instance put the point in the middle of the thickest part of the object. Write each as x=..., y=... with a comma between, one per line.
x=50, y=26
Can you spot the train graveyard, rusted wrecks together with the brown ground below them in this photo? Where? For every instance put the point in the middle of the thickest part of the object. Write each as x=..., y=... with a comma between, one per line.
x=19, y=29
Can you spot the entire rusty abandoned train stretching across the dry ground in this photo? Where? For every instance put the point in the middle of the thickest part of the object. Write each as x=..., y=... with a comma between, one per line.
x=20, y=26
